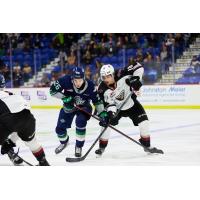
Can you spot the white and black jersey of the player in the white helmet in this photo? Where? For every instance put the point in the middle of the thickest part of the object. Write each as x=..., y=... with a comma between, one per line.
x=113, y=99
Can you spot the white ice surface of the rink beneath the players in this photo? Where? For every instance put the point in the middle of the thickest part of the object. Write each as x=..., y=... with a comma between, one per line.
x=176, y=132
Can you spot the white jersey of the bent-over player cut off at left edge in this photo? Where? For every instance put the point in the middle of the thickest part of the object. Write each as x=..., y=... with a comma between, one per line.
x=11, y=103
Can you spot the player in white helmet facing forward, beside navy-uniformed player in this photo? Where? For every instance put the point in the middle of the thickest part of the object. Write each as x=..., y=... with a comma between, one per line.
x=113, y=90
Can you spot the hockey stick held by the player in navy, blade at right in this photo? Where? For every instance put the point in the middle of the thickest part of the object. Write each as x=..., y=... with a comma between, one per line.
x=135, y=141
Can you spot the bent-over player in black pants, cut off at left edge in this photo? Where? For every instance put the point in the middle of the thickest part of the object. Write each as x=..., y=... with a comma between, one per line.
x=17, y=121
